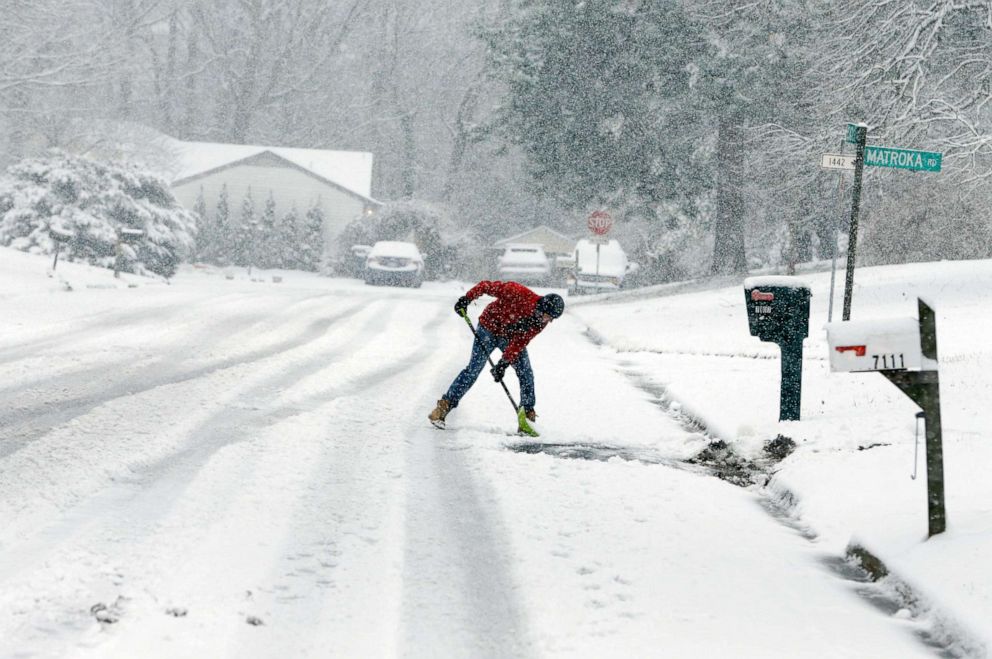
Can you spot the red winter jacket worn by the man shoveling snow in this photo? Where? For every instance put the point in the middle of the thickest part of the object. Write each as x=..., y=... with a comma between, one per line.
x=508, y=316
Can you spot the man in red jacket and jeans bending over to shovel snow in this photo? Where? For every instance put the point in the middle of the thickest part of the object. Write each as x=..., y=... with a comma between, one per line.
x=509, y=323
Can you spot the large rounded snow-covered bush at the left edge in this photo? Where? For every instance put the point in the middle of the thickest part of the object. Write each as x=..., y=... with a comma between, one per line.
x=93, y=201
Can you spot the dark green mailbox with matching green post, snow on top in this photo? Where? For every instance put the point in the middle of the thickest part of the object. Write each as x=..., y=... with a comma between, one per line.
x=778, y=311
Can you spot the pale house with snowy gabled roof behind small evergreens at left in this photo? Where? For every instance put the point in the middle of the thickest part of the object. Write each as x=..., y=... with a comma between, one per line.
x=339, y=181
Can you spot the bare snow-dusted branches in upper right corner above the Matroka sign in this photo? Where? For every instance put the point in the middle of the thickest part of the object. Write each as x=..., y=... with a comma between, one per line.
x=918, y=71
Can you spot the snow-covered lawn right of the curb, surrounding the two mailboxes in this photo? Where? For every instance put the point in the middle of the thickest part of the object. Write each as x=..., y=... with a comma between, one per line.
x=851, y=471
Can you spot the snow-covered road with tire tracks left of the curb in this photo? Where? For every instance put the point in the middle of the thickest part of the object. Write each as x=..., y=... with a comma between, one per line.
x=224, y=468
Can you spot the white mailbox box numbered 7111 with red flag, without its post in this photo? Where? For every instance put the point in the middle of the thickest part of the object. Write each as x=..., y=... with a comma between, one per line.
x=877, y=345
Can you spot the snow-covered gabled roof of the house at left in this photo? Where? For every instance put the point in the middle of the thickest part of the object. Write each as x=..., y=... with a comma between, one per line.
x=349, y=169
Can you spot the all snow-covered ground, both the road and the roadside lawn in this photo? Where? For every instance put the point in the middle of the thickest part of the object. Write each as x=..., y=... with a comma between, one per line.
x=225, y=467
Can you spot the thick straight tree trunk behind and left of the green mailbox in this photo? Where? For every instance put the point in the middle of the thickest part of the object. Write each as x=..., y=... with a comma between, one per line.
x=728, y=245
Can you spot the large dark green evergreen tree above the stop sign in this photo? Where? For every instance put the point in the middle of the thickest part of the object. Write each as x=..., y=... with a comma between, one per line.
x=596, y=99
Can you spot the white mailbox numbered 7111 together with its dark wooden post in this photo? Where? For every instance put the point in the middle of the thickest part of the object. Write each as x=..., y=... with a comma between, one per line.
x=904, y=350
